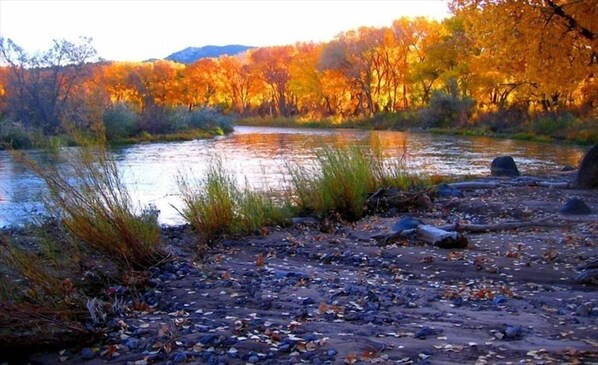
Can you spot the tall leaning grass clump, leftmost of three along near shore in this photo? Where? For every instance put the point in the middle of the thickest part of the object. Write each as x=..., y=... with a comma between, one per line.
x=87, y=195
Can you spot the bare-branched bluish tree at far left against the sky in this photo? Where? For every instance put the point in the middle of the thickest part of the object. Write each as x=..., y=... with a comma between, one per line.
x=39, y=87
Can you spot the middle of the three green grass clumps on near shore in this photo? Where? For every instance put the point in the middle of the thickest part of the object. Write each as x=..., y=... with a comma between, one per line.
x=217, y=204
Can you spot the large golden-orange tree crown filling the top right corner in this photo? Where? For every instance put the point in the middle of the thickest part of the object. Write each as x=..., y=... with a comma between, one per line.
x=538, y=52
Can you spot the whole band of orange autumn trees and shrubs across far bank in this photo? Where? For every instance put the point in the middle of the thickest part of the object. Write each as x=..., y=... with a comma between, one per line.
x=498, y=65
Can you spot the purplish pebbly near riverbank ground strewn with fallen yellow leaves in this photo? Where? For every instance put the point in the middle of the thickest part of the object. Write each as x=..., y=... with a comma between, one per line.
x=336, y=293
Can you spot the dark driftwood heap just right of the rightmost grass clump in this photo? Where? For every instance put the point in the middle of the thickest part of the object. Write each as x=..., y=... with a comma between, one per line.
x=388, y=198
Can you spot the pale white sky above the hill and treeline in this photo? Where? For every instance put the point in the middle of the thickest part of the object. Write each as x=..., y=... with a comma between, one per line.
x=136, y=30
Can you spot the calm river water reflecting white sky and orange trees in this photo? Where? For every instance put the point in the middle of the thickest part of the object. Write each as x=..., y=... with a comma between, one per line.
x=259, y=156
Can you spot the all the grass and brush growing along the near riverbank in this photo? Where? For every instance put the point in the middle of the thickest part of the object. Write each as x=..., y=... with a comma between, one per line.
x=62, y=285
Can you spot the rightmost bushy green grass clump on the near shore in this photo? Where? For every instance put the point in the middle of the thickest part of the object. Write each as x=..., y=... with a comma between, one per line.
x=341, y=178
